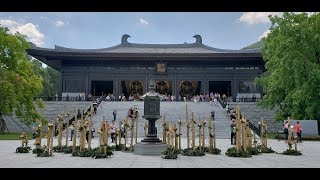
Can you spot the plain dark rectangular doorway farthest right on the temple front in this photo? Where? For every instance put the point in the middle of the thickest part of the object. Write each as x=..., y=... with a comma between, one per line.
x=221, y=87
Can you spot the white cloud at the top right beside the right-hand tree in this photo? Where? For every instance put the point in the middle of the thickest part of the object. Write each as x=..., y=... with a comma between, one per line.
x=257, y=17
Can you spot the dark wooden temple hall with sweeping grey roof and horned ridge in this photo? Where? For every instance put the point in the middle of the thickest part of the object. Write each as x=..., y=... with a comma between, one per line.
x=185, y=69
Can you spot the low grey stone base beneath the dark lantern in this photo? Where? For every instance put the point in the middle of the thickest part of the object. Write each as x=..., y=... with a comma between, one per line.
x=149, y=149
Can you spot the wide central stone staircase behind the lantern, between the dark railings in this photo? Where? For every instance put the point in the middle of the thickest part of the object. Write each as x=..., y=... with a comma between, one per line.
x=172, y=112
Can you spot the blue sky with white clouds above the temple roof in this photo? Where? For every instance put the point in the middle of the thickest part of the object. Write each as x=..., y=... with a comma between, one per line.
x=226, y=30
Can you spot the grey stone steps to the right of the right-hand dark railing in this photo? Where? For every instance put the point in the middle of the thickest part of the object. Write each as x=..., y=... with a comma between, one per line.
x=255, y=113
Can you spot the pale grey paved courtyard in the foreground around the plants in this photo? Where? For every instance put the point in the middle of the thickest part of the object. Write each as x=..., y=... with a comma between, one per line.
x=310, y=158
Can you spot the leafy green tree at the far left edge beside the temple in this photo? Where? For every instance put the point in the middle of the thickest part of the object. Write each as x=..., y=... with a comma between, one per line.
x=18, y=83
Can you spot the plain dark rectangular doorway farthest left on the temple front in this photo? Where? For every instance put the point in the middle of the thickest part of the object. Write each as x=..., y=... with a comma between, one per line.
x=99, y=87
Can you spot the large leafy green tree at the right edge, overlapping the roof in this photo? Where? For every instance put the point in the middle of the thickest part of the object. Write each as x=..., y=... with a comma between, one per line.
x=292, y=79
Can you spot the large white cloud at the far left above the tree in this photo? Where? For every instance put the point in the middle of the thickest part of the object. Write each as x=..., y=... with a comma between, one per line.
x=28, y=29
